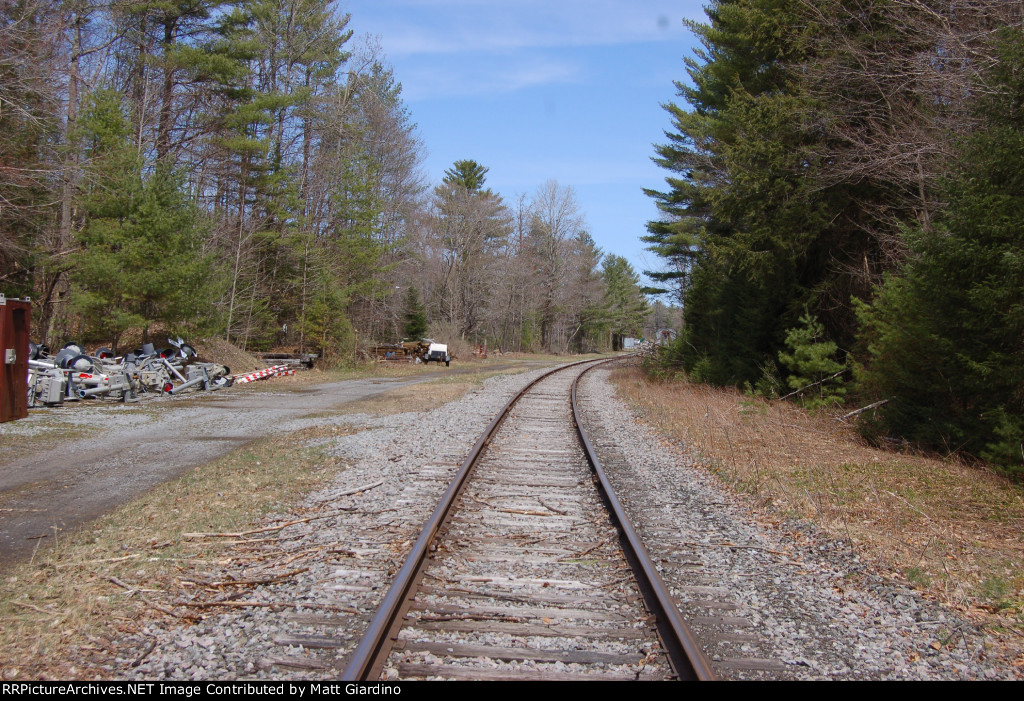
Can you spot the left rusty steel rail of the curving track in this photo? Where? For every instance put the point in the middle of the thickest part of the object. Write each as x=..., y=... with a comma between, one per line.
x=369, y=658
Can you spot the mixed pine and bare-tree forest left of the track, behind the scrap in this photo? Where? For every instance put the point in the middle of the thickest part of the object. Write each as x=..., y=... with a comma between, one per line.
x=248, y=169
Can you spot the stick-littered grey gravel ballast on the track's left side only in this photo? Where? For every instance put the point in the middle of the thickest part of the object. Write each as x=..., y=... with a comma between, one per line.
x=304, y=627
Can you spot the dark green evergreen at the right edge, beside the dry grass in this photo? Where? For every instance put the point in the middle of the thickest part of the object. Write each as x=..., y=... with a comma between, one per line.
x=945, y=340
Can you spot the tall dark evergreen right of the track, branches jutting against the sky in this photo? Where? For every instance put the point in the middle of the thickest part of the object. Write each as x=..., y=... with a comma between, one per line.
x=747, y=232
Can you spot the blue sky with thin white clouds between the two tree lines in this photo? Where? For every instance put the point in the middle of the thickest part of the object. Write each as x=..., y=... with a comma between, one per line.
x=569, y=91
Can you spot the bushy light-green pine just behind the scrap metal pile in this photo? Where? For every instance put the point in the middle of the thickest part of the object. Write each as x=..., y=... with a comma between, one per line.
x=141, y=260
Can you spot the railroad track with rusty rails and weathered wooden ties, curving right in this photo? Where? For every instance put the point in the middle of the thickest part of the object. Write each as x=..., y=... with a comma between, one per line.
x=527, y=572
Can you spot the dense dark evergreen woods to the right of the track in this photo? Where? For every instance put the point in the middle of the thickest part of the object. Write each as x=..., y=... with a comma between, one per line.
x=843, y=220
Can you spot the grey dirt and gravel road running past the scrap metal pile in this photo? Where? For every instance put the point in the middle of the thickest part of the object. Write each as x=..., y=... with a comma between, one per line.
x=62, y=468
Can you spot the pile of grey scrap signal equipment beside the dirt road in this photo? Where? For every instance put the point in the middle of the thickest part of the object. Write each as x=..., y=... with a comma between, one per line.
x=72, y=375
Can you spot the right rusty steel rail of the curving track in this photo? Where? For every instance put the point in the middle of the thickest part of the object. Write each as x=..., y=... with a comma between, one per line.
x=685, y=653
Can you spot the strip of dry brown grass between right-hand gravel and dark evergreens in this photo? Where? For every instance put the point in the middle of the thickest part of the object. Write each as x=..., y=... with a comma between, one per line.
x=947, y=529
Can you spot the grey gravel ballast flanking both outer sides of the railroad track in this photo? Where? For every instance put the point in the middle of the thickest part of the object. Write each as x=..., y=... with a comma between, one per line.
x=795, y=605
